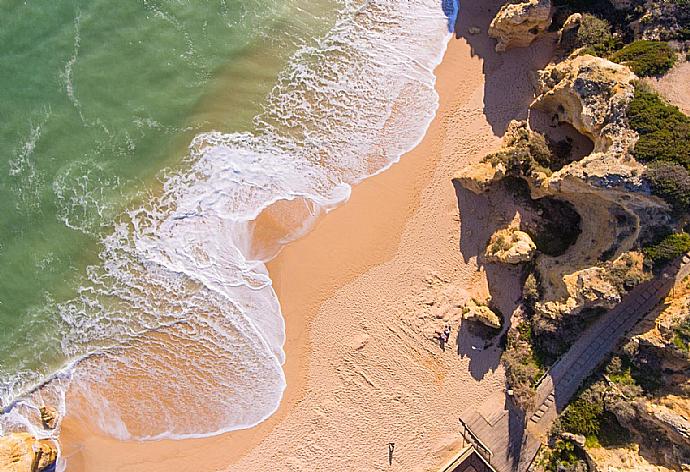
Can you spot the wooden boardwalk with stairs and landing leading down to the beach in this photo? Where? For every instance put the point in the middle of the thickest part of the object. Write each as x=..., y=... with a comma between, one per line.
x=504, y=436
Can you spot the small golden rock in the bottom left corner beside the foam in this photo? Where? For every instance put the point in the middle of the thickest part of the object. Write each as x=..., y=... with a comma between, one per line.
x=21, y=452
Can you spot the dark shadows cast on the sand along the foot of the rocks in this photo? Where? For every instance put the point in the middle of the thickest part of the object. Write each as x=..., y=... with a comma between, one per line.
x=508, y=92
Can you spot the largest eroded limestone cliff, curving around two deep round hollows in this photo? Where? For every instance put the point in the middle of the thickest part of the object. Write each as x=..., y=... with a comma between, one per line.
x=591, y=94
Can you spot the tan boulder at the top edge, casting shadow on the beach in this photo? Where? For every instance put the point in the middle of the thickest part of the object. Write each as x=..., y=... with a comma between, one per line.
x=518, y=24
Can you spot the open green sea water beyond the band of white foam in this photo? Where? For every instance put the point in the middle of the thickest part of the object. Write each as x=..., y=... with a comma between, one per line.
x=96, y=98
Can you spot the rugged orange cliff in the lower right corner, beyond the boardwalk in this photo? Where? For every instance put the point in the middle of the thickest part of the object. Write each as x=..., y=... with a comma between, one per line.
x=651, y=400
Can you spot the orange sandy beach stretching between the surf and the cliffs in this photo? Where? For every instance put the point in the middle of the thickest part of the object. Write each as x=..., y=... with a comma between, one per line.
x=362, y=295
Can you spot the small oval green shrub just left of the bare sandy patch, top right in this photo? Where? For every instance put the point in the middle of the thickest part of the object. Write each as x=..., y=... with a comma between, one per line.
x=646, y=58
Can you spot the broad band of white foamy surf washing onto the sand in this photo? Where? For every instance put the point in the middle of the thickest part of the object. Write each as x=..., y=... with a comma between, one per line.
x=180, y=331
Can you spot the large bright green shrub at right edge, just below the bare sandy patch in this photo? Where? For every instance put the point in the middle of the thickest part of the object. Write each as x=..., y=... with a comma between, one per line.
x=664, y=130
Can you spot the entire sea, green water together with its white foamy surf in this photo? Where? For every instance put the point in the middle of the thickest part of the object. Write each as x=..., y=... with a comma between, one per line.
x=139, y=139
